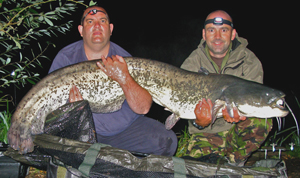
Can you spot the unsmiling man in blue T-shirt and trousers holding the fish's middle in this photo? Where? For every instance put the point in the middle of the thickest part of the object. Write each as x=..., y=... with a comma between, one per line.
x=127, y=128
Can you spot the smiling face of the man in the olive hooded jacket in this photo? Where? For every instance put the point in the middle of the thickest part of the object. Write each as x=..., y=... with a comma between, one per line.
x=218, y=38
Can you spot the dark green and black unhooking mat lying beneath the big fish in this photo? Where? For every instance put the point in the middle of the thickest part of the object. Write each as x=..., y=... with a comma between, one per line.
x=77, y=154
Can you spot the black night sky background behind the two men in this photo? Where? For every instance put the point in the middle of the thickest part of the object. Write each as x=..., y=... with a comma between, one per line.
x=169, y=32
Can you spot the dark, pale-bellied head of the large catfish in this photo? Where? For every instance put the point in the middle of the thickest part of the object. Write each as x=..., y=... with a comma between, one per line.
x=255, y=100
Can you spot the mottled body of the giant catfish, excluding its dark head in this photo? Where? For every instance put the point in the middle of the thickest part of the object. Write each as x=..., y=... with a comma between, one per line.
x=173, y=88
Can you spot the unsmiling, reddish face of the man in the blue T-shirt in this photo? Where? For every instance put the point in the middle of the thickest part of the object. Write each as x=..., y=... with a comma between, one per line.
x=95, y=28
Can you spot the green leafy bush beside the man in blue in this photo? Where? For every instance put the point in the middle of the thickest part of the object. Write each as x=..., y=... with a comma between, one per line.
x=23, y=25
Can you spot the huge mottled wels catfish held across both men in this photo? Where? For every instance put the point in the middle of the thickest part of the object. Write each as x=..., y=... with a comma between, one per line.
x=177, y=90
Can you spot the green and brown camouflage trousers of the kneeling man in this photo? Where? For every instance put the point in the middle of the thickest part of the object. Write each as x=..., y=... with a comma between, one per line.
x=236, y=144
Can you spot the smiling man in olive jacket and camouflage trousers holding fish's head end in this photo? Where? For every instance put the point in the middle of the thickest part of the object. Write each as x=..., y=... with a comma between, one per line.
x=222, y=51
